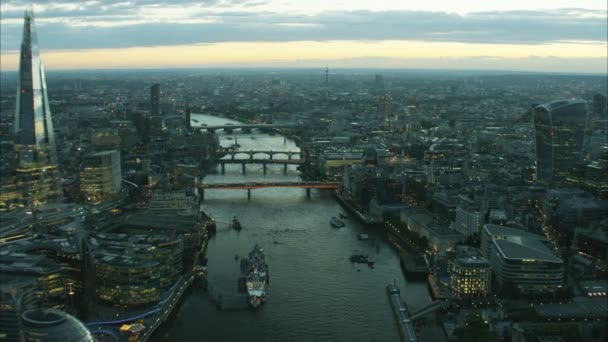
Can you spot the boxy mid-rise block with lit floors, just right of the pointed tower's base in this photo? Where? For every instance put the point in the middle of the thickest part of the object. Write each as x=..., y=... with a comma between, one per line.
x=101, y=176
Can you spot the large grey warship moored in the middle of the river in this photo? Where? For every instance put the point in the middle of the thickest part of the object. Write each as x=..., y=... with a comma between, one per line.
x=256, y=273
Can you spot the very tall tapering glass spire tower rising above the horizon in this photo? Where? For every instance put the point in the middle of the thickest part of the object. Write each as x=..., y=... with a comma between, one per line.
x=37, y=178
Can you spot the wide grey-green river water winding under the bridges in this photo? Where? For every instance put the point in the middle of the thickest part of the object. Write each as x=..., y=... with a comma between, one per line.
x=315, y=293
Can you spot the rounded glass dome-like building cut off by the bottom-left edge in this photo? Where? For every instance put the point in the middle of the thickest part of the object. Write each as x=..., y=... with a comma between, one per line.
x=50, y=325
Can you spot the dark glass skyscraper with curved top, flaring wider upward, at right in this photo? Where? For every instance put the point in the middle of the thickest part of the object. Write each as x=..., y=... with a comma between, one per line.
x=559, y=129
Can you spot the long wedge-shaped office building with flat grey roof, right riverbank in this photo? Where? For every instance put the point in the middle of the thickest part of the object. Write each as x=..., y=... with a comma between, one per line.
x=521, y=258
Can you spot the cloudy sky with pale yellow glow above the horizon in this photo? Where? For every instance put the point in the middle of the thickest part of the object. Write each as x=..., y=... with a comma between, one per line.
x=545, y=35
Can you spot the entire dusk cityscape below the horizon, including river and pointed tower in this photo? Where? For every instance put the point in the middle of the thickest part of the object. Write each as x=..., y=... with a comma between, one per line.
x=431, y=205
